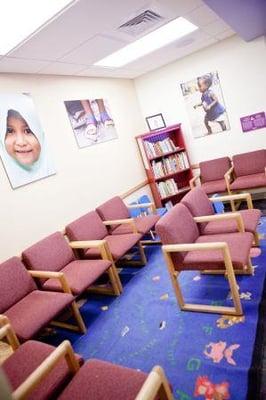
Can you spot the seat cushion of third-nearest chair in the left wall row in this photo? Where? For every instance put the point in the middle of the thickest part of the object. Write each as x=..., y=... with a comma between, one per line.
x=119, y=245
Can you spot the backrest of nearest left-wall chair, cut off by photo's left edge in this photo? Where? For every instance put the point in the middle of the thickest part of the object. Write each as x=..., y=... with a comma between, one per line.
x=15, y=283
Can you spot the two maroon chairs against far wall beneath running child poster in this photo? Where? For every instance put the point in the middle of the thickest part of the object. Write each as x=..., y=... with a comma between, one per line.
x=246, y=171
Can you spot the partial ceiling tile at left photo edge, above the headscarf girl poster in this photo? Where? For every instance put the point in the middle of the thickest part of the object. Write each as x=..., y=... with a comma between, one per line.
x=18, y=65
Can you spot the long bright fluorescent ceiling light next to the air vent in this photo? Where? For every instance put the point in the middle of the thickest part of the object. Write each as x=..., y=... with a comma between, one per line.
x=162, y=36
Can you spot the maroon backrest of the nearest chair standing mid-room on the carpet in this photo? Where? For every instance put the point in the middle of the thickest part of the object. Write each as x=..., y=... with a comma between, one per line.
x=176, y=227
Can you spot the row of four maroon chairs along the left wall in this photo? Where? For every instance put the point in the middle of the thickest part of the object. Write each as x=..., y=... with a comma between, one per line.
x=66, y=266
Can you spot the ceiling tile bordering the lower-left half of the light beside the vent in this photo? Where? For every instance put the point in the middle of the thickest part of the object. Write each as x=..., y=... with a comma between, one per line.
x=93, y=50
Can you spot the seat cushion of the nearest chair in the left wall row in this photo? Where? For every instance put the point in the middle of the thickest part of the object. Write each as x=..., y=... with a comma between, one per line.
x=35, y=311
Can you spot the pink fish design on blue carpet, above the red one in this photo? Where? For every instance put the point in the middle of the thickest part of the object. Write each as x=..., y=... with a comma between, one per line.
x=217, y=351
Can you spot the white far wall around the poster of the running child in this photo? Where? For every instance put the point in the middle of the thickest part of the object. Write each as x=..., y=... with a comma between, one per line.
x=241, y=67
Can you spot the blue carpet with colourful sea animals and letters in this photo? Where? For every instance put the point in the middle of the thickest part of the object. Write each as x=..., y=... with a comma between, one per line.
x=144, y=327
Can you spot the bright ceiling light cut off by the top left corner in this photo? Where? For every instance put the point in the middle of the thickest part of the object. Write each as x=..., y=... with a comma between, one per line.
x=20, y=18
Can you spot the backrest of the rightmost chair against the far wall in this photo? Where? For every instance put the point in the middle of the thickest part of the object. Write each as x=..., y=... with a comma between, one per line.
x=249, y=163
